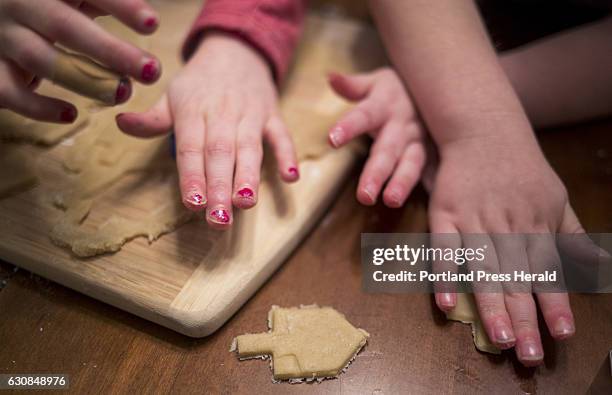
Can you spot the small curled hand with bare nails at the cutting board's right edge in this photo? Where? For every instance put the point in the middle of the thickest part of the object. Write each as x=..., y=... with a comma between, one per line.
x=386, y=113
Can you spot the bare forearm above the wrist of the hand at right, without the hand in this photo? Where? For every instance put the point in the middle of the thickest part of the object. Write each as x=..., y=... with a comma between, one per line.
x=441, y=50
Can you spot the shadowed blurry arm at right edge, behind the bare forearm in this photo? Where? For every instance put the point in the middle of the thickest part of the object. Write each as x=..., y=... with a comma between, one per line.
x=565, y=78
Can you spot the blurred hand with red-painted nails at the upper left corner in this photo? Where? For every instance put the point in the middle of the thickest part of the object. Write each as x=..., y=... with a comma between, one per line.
x=28, y=29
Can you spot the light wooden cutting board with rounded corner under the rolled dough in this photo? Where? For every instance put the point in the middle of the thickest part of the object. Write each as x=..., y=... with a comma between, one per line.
x=194, y=279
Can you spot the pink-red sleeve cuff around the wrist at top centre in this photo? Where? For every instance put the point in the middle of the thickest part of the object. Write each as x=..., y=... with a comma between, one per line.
x=271, y=26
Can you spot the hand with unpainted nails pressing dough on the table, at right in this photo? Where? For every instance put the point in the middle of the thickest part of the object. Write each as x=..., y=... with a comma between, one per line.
x=501, y=184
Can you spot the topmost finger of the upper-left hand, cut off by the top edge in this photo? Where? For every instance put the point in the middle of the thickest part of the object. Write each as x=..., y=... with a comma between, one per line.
x=137, y=14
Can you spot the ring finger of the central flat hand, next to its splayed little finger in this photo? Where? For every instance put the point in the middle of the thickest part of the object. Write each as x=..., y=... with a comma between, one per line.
x=249, y=155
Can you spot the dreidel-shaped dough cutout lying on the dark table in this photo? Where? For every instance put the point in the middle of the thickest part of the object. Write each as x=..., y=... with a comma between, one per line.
x=309, y=342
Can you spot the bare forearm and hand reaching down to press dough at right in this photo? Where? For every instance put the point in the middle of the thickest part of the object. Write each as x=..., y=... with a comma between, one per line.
x=492, y=177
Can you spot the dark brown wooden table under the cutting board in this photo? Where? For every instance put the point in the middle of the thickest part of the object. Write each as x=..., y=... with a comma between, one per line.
x=45, y=327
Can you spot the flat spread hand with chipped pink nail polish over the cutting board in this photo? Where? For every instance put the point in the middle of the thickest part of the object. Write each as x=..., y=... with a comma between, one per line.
x=222, y=105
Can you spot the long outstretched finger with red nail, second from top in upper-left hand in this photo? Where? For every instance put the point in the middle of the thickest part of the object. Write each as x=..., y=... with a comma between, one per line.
x=58, y=22
